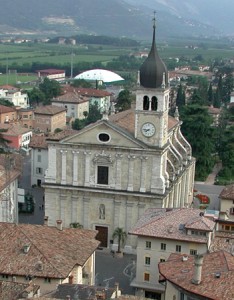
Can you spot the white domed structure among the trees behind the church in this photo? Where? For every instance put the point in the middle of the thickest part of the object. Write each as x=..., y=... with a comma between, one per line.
x=100, y=75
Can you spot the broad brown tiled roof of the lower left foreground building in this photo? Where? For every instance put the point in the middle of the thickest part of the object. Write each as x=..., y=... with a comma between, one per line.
x=57, y=251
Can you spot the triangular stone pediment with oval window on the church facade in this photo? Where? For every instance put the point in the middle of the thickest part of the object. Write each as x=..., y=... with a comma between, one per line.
x=117, y=136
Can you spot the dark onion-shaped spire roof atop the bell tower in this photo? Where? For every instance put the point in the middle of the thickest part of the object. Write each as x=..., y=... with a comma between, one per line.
x=153, y=72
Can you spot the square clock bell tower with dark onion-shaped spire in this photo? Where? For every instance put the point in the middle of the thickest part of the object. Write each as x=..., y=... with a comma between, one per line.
x=152, y=99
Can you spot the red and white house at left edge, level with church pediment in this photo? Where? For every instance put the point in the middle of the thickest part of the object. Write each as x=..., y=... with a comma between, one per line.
x=18, y=137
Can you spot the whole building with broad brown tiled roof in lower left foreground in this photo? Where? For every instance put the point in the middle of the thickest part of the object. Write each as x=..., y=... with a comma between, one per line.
x=47, y=255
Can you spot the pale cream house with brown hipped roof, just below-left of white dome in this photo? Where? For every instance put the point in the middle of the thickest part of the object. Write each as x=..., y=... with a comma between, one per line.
x=74, y=103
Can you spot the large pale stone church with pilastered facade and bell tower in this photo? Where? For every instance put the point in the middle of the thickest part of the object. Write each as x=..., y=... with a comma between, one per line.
x=107, y=174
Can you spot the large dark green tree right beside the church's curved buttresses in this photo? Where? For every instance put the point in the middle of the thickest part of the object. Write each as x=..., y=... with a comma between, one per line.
x=198, y=131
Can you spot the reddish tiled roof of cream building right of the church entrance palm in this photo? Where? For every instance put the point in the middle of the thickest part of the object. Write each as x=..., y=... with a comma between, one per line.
x=170, y=224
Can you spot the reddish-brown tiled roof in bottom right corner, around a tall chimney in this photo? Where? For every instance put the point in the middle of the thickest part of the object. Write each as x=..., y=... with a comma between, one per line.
x=180, y=273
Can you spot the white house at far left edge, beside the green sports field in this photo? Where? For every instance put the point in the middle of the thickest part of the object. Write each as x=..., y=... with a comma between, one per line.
x=14, y=95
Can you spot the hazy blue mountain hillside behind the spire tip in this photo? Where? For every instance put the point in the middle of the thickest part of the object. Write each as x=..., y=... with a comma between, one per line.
x=105, y=17
